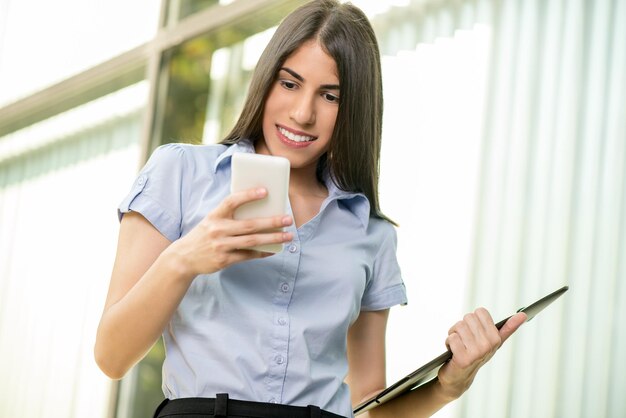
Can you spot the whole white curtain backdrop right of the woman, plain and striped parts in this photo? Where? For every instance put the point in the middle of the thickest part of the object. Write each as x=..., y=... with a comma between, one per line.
x=504, y=162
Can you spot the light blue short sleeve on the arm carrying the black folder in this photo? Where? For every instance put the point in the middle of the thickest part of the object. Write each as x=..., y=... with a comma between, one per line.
x=386, y=287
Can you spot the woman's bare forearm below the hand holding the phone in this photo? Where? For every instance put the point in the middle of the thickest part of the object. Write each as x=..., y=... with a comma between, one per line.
x=130, y=326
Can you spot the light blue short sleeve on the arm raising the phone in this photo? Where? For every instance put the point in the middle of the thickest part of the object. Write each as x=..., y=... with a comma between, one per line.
x=157, y=191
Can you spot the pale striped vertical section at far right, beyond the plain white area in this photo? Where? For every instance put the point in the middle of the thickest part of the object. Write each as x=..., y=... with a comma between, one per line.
x=552, y=207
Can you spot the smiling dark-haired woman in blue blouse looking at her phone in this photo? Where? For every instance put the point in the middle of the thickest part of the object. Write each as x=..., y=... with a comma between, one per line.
x=300, y=333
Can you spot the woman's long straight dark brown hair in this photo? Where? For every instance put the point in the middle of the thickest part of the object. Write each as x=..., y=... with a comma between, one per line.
x=346, y=34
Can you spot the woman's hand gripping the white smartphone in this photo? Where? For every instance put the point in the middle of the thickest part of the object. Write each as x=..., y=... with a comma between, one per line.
x=219, y=240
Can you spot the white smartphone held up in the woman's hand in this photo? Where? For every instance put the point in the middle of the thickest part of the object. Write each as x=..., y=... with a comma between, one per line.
x=258, y=170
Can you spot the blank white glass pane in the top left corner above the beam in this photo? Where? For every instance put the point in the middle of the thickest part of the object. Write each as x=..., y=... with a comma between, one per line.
x=68, y=36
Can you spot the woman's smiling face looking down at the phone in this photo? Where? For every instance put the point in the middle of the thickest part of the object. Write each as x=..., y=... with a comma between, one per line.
x=301, y=108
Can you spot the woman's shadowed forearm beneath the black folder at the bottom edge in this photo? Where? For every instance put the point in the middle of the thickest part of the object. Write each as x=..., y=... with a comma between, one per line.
x=422, y=402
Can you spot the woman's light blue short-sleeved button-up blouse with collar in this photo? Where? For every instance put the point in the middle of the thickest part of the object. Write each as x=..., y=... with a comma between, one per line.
x=274, y=329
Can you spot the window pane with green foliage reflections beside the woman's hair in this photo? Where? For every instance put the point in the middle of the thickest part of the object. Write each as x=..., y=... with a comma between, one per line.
x=208, y=76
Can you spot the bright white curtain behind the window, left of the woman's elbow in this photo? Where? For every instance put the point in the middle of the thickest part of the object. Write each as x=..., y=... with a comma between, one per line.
x=58, y=230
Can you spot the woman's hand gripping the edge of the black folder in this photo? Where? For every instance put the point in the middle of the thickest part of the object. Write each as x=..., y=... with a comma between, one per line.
x=473, y=341
